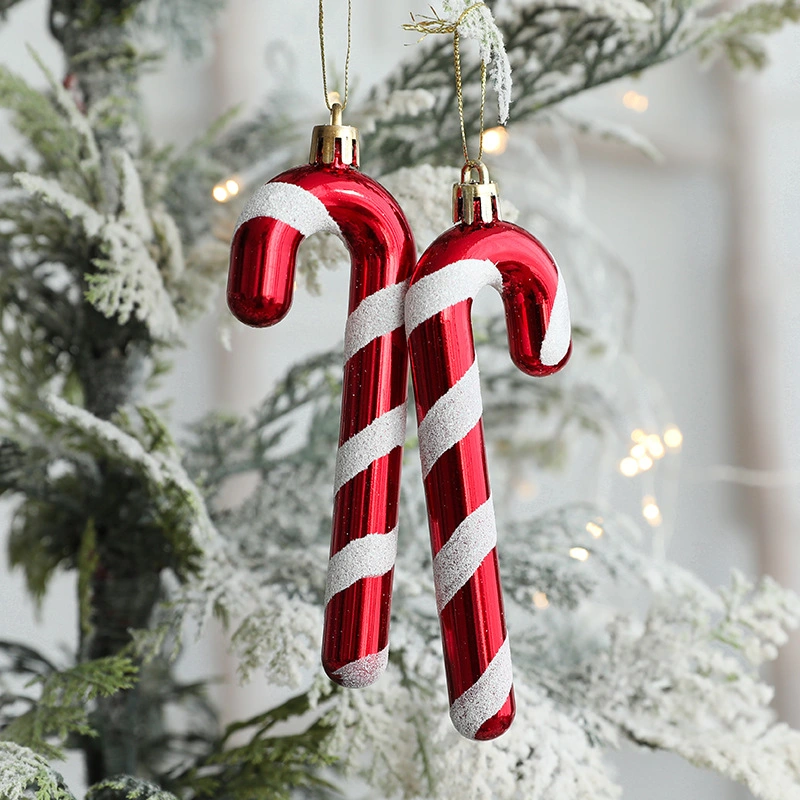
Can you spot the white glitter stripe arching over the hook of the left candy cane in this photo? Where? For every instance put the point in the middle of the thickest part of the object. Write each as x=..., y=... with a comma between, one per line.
x=289, y=204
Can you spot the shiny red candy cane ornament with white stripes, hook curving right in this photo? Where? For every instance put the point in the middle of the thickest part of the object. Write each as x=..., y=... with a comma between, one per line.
x=479, y=251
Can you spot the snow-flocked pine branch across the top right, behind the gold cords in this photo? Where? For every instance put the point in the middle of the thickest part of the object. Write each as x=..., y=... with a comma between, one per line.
x=559, y=49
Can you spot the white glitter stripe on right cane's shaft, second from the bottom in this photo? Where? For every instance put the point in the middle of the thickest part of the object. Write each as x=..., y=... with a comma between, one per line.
x=464, y=552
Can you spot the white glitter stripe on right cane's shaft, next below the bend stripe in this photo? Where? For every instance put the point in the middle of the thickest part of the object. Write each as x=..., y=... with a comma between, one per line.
x=450, y=418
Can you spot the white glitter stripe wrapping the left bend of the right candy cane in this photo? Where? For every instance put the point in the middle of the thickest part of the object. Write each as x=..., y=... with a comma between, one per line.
x=452, y=284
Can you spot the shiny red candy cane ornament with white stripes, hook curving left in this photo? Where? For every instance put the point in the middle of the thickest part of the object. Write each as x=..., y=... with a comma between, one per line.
x=330, y=194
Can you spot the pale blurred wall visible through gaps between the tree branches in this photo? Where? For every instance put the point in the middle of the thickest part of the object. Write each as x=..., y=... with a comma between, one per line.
x=711, y=237
